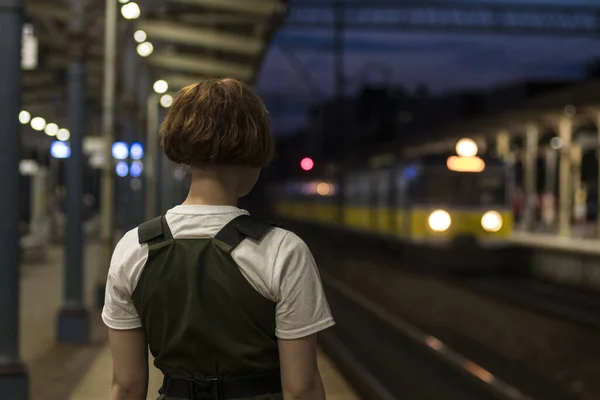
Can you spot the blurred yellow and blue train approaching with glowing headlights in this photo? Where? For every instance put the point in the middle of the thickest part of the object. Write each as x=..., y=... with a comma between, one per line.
x=448, y=200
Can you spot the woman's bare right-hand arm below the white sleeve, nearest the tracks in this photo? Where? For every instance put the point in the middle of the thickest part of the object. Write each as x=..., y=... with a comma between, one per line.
x=300, y=374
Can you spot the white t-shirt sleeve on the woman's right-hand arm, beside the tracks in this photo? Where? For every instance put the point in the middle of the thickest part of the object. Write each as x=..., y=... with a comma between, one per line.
x=302, y=307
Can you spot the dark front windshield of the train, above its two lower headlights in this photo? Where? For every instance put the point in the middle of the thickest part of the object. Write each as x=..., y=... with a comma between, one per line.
x=446, y=188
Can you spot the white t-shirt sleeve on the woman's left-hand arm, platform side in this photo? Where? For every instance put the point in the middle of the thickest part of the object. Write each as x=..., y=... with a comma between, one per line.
x=126, y=265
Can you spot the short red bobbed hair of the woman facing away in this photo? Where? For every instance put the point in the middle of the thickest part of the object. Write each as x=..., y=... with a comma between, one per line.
x=218, y=122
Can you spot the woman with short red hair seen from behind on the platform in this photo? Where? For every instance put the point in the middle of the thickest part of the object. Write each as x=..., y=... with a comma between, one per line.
x=229, y=304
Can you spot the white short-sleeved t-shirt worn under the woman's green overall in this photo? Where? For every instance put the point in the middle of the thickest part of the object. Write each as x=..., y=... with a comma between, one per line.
x=280, y=267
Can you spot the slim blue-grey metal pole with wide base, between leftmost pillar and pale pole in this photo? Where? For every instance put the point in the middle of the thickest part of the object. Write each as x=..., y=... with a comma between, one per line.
x=73, y=319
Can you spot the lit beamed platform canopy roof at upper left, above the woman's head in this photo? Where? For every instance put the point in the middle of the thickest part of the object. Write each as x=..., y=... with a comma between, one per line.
x=192, y=40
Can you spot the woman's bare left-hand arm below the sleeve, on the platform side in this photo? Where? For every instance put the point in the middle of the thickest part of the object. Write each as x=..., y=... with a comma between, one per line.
x=130, y=364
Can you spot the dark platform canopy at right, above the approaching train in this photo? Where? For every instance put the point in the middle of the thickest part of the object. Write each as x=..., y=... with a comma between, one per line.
x=520, y=105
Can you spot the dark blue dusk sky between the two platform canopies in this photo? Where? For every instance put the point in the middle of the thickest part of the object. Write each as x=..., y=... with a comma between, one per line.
x=443, y=62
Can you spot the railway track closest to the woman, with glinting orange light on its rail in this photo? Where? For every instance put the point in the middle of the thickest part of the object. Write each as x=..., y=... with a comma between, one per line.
x=387, y=358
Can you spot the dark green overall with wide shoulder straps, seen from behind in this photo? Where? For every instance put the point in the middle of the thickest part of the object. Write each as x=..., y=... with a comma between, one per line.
x=211, y=333
